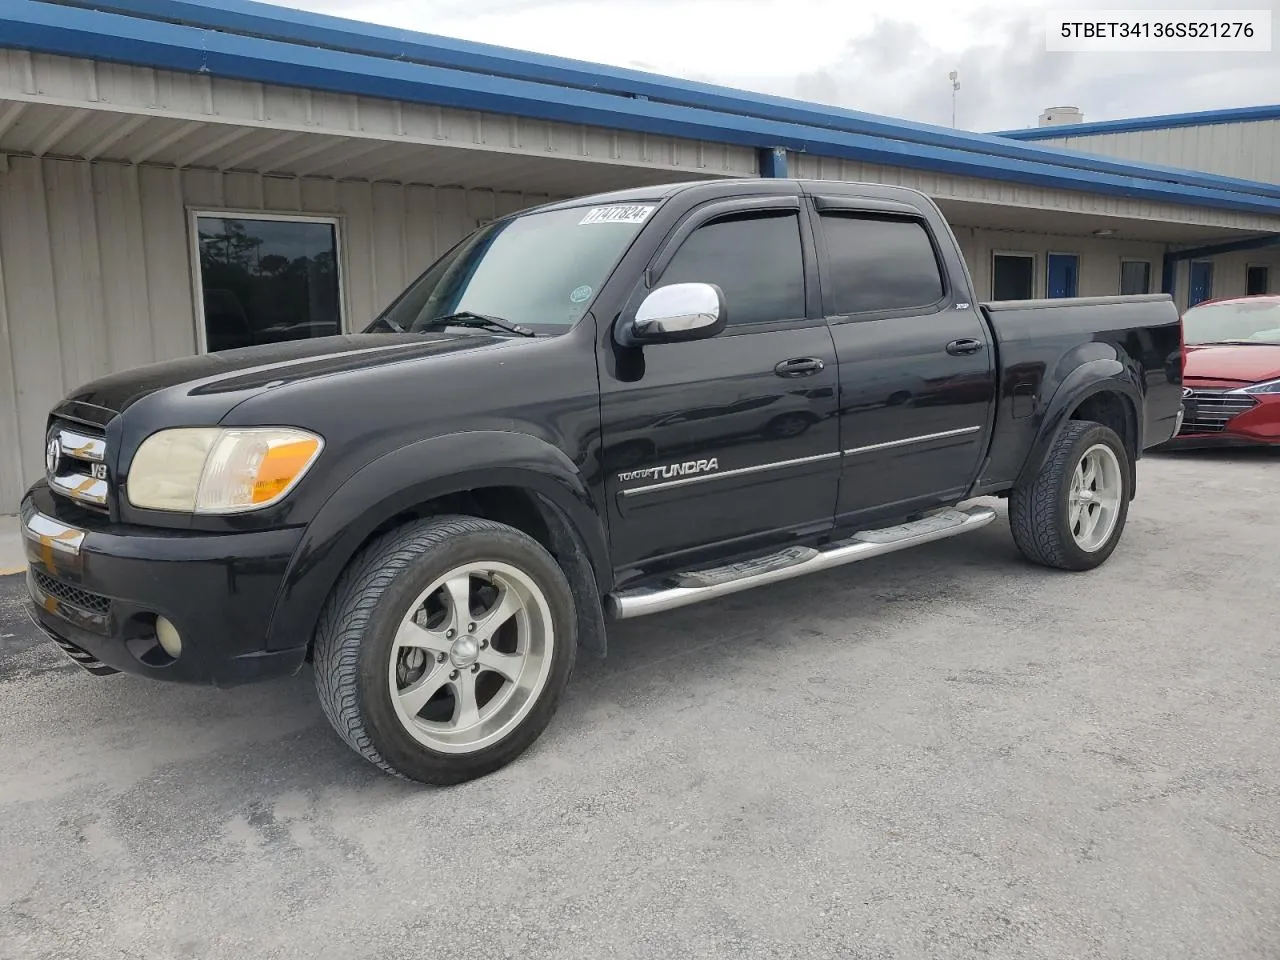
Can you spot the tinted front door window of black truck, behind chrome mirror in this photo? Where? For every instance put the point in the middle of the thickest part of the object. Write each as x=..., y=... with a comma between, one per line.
x=756, y=260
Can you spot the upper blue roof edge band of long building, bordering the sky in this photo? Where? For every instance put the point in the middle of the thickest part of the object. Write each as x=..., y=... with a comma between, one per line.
x=267, y=21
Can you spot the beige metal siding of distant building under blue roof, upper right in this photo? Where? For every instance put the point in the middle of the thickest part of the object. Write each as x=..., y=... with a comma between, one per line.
x=1246, y=150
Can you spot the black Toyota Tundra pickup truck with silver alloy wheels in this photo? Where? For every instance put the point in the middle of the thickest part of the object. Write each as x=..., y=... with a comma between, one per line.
x=595, y=410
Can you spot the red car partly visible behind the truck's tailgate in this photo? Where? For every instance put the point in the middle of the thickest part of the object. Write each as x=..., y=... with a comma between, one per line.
x=1232, y=373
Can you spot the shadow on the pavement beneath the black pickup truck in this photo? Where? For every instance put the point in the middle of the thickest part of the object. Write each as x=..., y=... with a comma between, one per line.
x=275, y=734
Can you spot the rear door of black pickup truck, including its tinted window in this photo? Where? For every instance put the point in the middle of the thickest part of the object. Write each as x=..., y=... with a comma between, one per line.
x=917, y=368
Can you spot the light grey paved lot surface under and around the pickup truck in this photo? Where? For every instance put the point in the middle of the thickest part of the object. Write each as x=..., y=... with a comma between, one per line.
x=945, y=753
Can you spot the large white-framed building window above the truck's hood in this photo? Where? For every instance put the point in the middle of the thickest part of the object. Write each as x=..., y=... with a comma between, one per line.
x=267, y=280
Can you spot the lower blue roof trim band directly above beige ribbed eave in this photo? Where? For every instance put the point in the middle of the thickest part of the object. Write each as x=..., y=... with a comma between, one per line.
x=89, y=34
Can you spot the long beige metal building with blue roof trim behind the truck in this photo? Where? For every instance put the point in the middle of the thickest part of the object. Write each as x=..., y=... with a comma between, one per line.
x=180, y=176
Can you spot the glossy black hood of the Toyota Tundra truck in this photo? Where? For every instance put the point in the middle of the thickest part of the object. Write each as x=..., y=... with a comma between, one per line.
x=255, y=368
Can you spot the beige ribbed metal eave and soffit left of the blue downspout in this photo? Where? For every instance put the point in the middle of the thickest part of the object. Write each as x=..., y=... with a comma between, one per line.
x=106, y=111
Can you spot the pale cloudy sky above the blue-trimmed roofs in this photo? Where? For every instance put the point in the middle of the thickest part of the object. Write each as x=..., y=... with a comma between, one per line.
x=890, y=57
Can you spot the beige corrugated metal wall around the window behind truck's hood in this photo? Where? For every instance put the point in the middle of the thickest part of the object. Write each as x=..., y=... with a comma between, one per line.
x=95, y=269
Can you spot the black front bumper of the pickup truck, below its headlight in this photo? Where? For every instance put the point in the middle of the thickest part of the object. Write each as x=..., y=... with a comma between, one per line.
x=98, y=591
